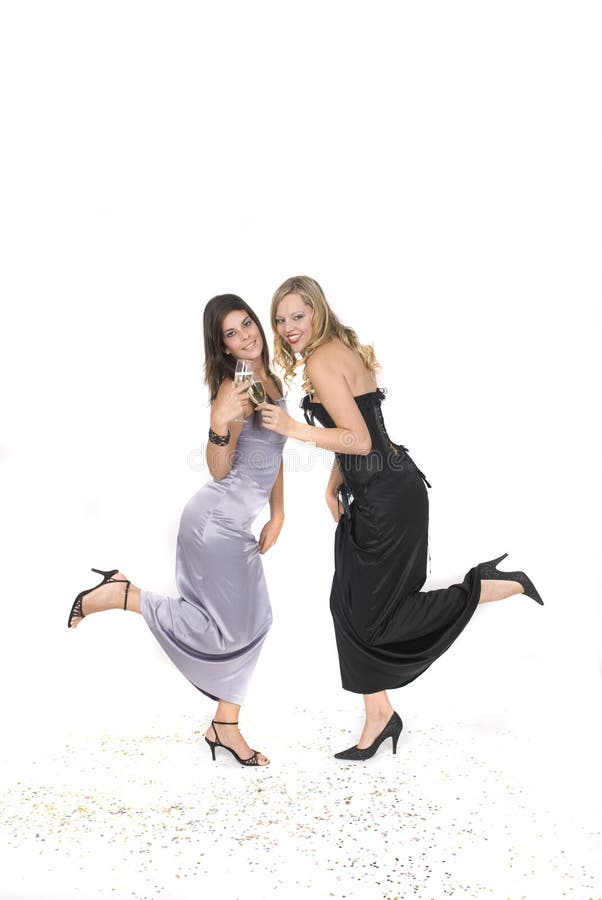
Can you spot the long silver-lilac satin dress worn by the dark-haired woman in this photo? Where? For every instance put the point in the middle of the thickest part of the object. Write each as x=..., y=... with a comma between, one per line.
x=213, y=631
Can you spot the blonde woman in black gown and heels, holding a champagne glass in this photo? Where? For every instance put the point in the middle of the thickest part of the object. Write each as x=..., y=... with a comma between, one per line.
x=387, y=630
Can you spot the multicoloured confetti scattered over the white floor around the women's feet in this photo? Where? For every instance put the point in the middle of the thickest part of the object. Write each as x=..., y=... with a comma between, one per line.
x=150, y=816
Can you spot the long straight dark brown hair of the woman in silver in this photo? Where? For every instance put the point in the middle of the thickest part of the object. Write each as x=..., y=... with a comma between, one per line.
x=219, y=364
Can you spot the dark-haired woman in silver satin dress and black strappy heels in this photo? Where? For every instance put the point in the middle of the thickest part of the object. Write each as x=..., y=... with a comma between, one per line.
x=214, y=629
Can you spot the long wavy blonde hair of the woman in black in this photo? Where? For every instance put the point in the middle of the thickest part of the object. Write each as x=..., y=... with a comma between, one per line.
x=325, y=326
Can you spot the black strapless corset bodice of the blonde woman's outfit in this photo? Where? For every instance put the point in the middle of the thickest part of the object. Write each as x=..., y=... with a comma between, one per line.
x=356, y=469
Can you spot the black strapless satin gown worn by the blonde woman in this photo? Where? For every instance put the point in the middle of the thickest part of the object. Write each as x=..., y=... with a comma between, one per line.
x=387, y=630
